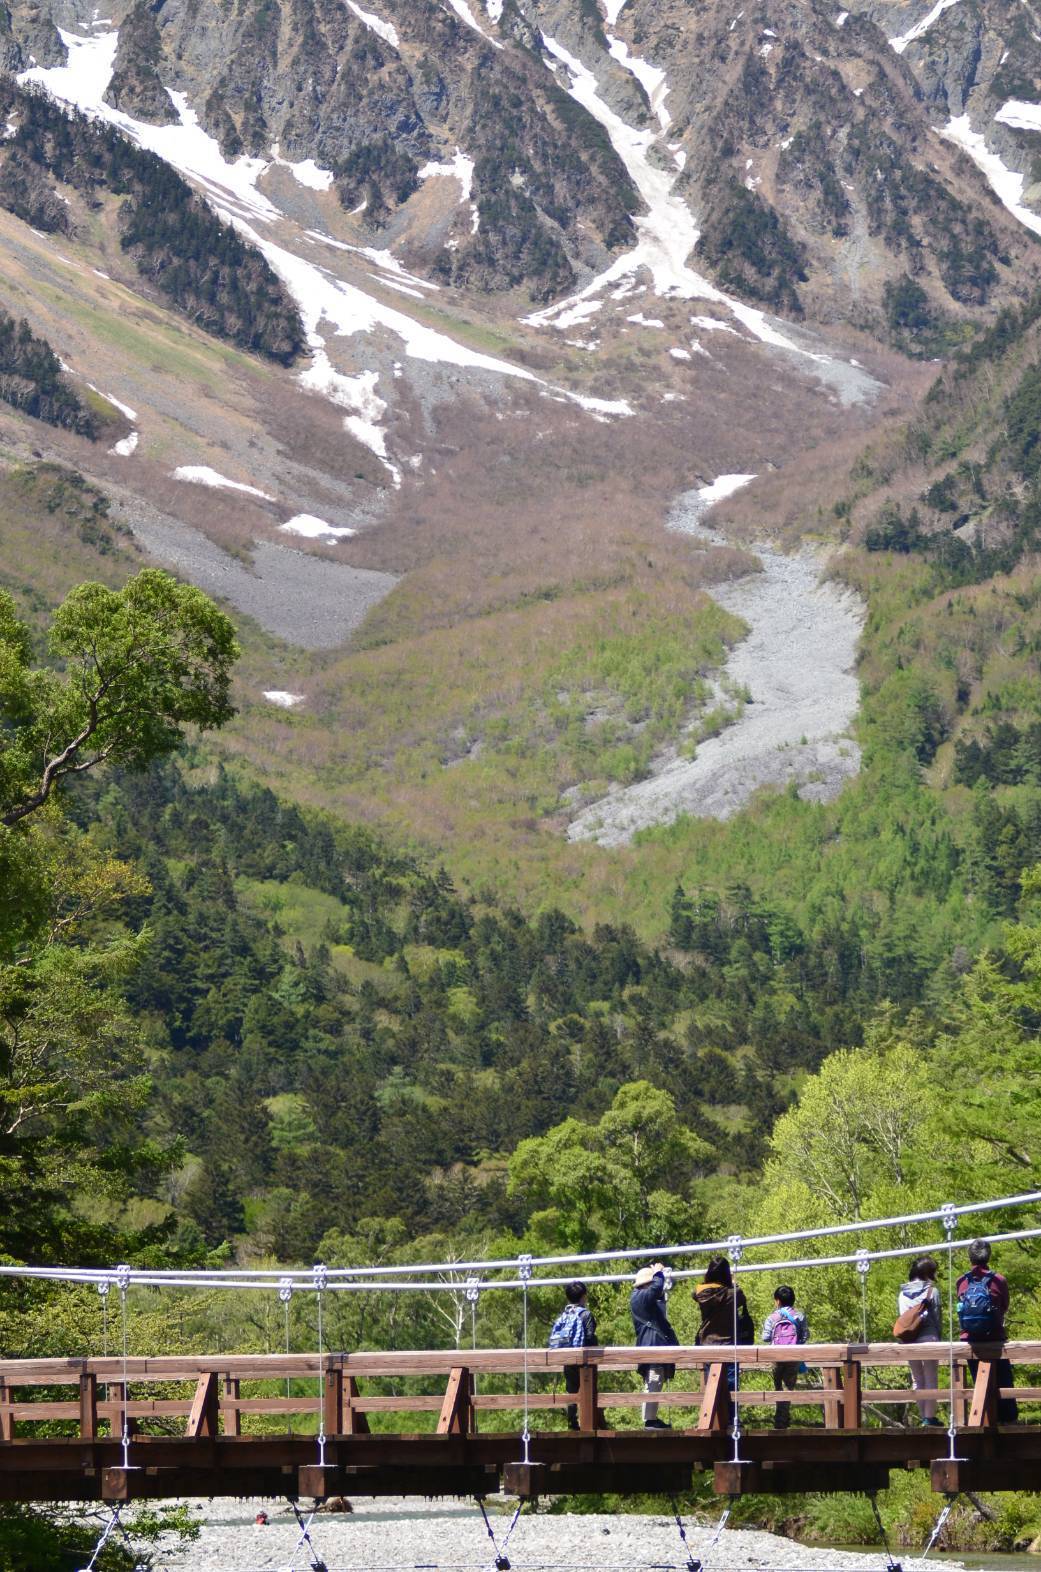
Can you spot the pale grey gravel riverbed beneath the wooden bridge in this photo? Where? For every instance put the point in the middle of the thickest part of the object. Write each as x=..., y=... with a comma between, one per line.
x=405, y=1535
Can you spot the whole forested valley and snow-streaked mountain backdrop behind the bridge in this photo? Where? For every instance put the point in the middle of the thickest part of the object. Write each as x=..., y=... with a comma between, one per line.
x=611, y=432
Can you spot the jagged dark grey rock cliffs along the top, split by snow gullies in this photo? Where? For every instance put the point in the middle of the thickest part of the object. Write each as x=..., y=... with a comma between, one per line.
x=804, y=141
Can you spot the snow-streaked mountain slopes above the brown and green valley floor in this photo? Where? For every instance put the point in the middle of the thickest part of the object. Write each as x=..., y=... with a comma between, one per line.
x=729, y=222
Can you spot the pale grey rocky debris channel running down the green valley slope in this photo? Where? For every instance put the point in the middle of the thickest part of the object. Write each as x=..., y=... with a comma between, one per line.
x=798, y=666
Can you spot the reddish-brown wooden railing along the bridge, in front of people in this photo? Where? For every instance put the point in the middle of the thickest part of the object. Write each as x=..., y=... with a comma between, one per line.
x=223, y=1390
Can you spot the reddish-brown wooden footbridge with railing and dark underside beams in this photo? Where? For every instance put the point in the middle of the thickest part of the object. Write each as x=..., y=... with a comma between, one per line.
x=84, y=1430
